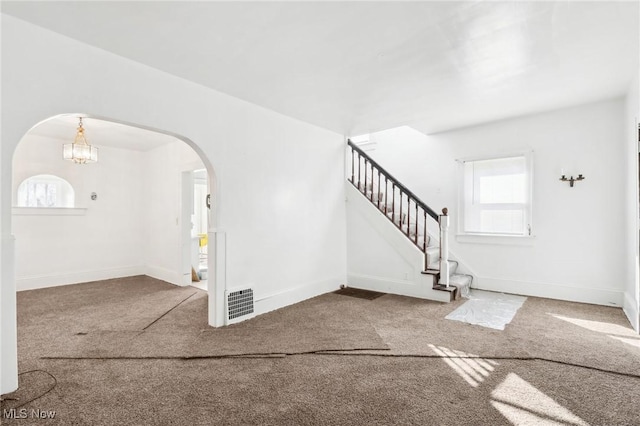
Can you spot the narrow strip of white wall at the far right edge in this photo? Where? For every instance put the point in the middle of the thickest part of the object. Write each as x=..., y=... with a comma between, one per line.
x=630, y=147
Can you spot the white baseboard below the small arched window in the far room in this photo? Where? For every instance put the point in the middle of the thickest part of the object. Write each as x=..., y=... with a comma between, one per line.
x=42, y=281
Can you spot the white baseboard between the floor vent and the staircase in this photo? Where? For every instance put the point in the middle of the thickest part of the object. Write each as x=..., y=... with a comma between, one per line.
x=271, y=302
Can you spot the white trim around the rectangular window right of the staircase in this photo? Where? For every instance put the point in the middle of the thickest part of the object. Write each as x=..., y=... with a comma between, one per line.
x=489, y=238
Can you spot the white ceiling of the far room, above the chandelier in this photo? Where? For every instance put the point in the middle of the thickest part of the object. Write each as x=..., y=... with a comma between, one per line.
x=101, y=133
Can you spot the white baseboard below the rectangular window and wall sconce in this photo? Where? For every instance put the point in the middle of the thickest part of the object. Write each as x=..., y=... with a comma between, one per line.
x=596, y=296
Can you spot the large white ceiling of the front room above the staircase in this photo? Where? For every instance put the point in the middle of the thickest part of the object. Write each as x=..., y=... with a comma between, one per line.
x=355, y=67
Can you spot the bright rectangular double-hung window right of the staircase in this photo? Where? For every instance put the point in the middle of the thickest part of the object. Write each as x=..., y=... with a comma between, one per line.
x=496, y=196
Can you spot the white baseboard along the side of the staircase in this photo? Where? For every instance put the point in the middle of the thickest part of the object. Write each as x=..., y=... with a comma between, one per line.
x=422, y=289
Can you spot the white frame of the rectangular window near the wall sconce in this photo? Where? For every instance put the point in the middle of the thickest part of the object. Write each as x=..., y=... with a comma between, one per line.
x=497, y=237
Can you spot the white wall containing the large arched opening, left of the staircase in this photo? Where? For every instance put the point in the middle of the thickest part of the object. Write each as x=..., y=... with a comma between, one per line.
x=280, y=204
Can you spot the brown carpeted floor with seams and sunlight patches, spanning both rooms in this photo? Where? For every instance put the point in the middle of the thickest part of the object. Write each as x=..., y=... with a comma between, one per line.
x=138, y=351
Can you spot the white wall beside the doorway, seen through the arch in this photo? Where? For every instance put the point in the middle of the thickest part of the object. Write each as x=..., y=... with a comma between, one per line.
x=163, y=169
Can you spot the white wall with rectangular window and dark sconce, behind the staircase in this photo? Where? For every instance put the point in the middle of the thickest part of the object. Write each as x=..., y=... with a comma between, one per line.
x=578, y=252
